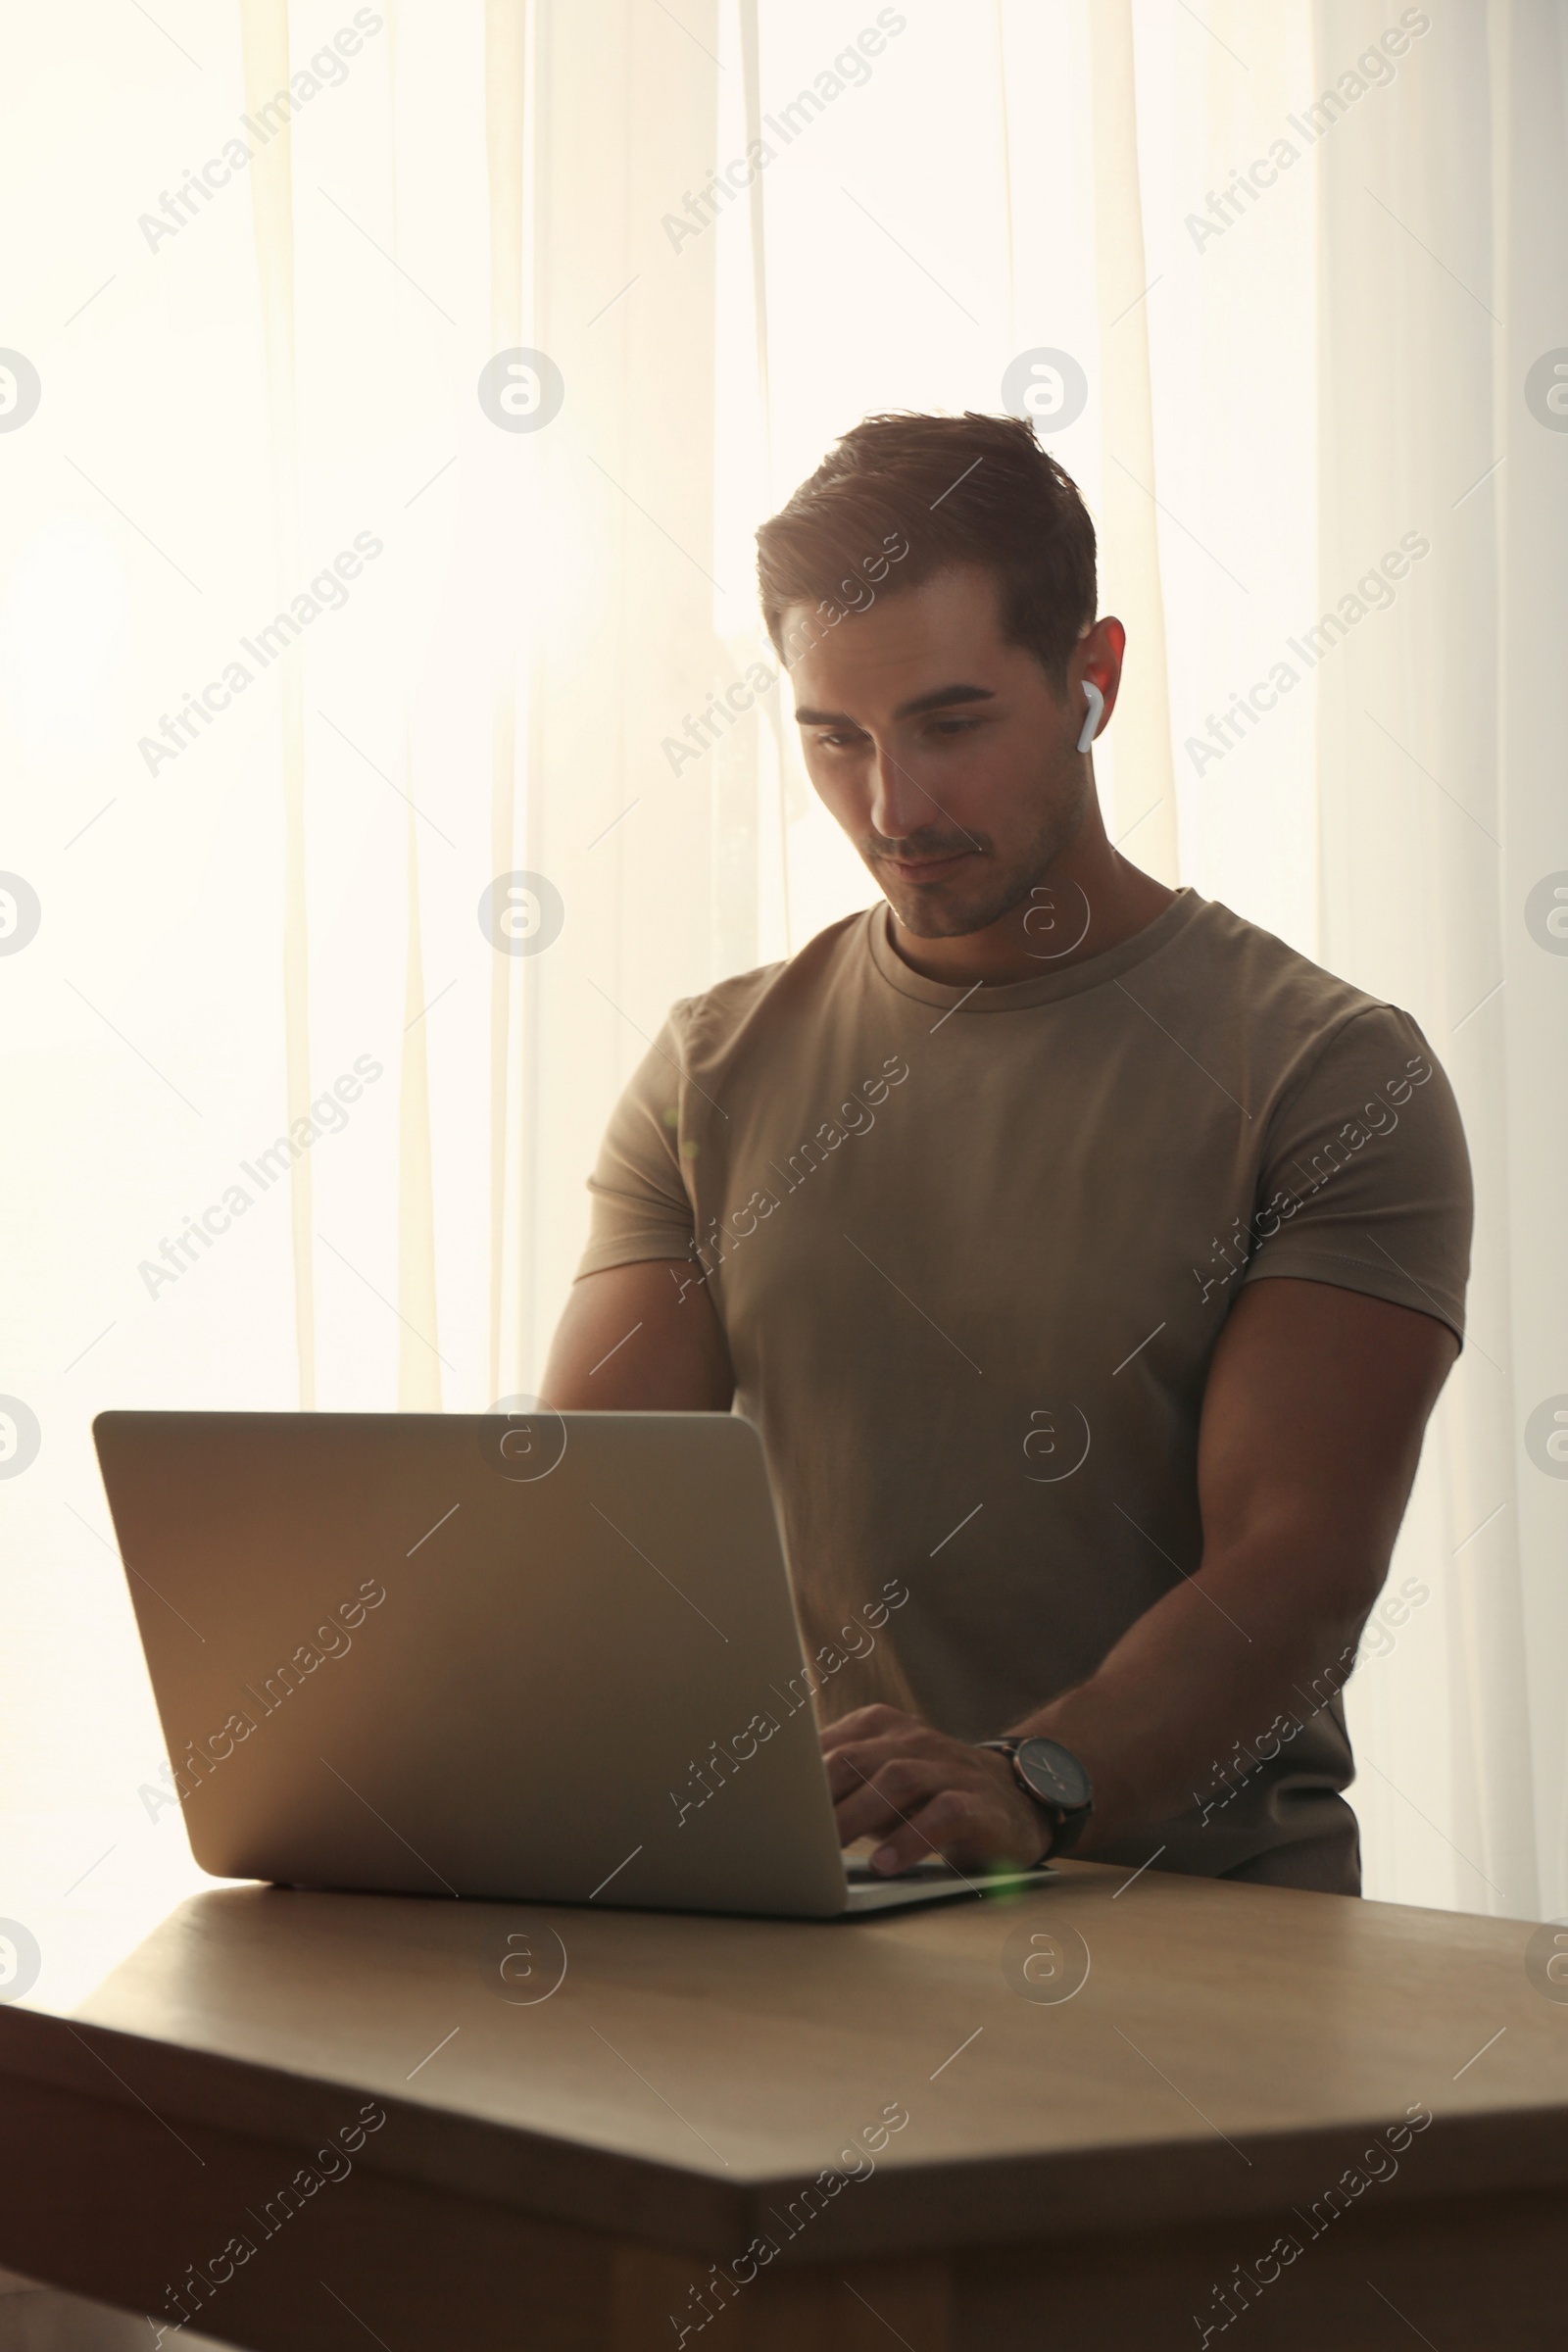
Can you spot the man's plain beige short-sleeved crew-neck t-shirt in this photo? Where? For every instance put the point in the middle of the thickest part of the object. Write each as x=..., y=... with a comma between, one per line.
x=972, y=1252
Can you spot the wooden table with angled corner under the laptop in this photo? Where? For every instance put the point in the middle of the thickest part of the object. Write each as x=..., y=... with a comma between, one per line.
x=582, y=2146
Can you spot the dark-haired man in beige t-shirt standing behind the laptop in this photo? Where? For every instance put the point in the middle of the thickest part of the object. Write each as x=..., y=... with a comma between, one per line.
x=1087, y=1259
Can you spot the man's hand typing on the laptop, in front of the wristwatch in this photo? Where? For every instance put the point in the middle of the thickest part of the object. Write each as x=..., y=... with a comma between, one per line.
x=927, y=1793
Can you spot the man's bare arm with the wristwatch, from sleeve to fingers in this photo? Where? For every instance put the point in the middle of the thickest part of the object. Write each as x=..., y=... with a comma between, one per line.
x=1311, y=1436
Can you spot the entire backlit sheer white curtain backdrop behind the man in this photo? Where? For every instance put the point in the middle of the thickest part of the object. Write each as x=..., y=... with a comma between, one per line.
x=255, y=382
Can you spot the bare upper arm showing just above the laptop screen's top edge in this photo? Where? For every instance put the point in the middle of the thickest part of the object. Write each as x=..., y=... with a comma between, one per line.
x=641, y=1339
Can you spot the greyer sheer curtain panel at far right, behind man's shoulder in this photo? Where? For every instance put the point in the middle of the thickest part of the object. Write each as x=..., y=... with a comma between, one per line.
x=1445, y=281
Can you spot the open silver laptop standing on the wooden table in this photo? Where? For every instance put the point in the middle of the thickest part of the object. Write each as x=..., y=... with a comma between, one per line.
x=535, y=1657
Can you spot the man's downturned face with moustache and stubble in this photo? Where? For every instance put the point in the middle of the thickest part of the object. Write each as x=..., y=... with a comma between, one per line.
x=942, y=749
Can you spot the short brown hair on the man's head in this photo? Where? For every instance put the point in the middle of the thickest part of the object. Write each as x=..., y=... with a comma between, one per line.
x=963, y=490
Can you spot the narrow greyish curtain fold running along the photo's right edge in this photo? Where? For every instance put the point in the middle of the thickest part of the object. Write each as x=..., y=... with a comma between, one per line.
x=1529, y=79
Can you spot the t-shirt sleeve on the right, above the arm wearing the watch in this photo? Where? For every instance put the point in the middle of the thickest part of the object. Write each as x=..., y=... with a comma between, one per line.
x=1367, y=1175
